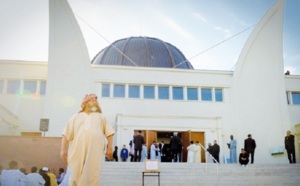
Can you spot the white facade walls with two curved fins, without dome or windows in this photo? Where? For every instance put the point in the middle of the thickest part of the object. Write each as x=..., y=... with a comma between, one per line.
x=254, y=94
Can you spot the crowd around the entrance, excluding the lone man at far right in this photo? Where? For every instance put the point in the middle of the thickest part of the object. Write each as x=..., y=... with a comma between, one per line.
x=159, y=151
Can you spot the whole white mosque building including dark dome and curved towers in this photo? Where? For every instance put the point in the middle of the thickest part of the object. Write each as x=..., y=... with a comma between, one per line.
x=147, y=84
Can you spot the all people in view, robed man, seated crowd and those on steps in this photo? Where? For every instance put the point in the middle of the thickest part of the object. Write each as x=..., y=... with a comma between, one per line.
x=84, y=168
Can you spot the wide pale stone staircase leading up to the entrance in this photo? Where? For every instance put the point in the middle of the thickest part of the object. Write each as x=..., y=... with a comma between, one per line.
x=200, y=174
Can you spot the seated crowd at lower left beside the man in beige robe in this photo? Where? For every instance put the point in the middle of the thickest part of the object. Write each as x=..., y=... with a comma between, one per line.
x=15, y=176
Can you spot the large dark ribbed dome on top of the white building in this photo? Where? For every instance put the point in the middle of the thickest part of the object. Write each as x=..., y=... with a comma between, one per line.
x=143, y=52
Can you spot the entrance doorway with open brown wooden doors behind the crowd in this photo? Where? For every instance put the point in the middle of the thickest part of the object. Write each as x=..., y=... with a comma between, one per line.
x=186, y=137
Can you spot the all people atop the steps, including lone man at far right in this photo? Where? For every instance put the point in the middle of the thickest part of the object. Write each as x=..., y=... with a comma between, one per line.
x=159, y=151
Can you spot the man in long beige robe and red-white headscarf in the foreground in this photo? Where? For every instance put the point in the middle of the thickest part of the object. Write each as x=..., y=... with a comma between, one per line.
x=83, y=143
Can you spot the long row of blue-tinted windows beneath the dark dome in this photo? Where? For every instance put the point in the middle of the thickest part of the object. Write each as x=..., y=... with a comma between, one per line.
x=162, y=92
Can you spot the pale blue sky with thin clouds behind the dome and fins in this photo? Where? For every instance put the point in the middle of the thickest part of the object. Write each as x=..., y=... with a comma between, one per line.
x=210, y=33
